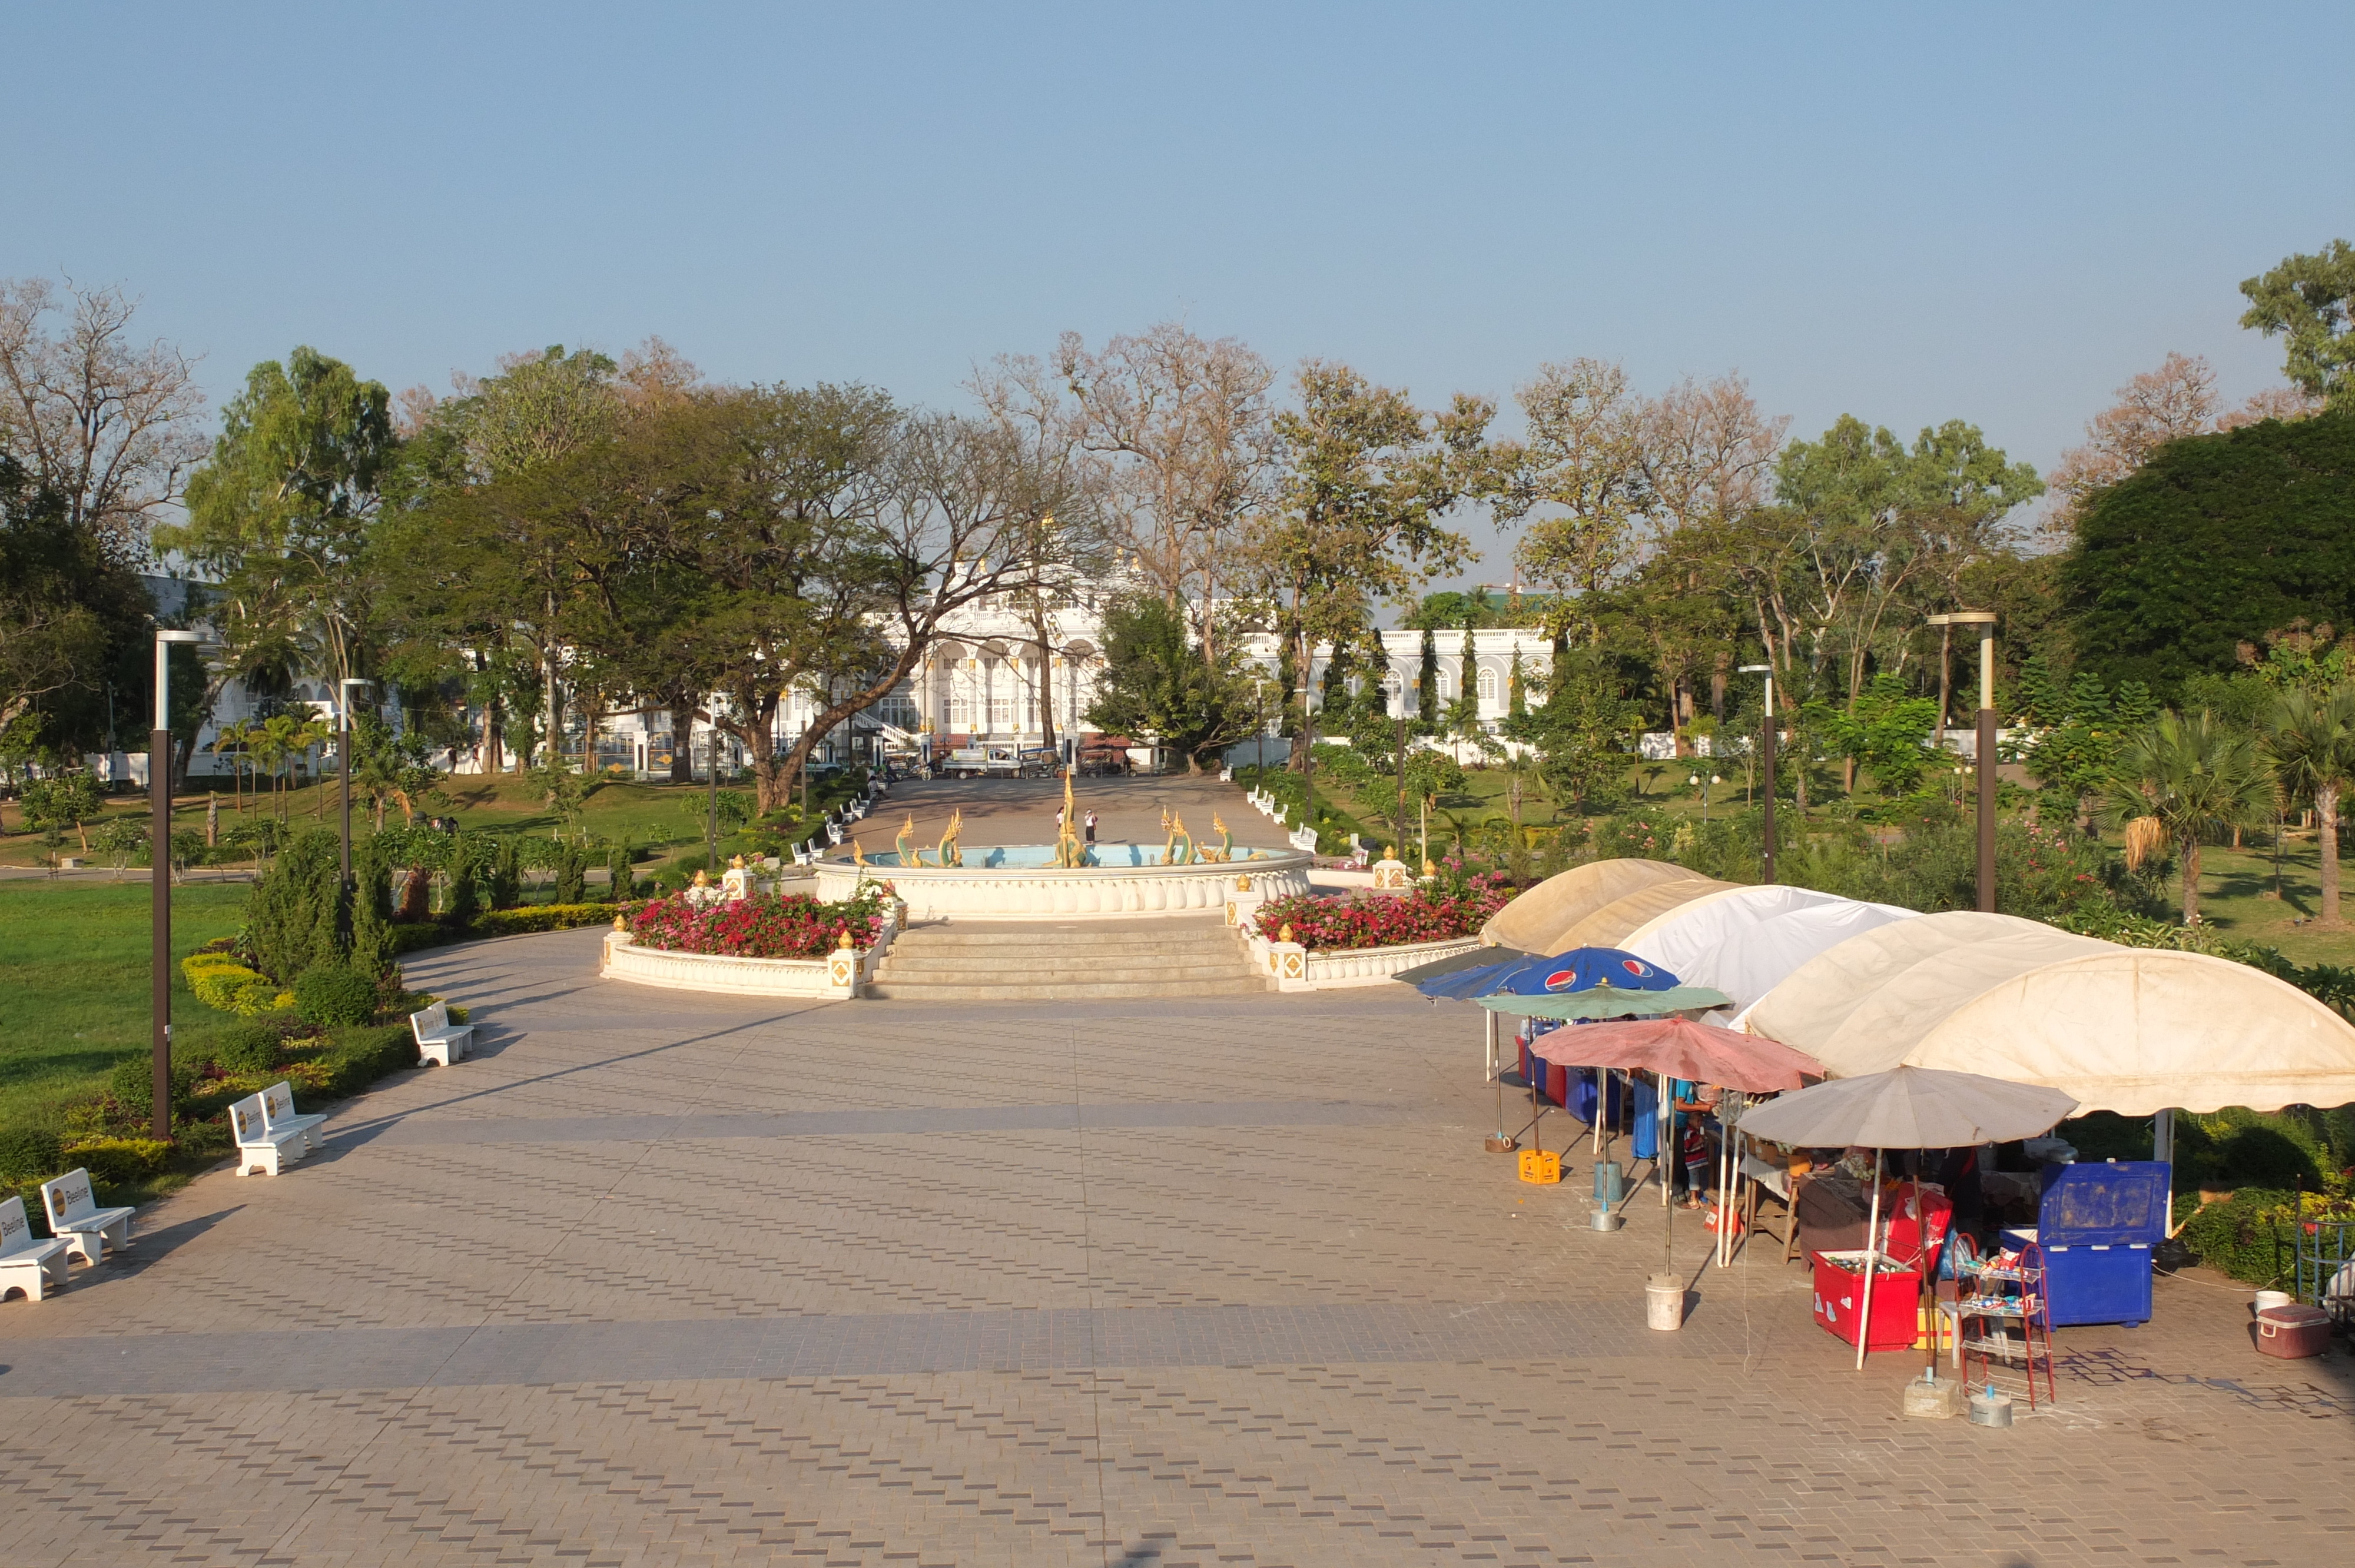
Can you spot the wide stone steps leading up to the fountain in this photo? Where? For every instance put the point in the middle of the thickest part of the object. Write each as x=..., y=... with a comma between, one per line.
x=1068, y=962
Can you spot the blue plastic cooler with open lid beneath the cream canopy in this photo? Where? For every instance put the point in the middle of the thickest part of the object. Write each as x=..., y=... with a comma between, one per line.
x=2097, y=1228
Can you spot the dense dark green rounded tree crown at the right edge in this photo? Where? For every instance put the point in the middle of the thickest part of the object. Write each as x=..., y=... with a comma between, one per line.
x=2213, y=545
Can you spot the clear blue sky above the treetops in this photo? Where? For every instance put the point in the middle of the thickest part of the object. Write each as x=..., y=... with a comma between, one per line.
x=1904, y=213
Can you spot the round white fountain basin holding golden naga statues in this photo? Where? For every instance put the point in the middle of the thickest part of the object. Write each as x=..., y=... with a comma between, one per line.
x=1019, y=884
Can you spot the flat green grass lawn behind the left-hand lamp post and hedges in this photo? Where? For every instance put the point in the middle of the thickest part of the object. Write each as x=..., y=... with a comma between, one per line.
x=74, y=981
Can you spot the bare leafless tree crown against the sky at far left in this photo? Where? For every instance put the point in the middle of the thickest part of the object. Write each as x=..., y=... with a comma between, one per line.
x=105, y=423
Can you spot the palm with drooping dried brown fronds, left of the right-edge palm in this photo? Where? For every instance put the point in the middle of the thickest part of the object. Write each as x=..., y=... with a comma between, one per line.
x=2180, y=780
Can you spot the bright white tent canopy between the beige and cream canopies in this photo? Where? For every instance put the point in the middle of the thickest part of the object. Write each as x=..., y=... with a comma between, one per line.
x=1749, y=941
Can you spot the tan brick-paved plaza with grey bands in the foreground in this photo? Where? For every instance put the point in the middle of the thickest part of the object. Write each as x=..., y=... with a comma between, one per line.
x=675, y=1280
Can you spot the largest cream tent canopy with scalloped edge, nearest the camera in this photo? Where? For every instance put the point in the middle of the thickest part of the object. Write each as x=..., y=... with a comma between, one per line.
x=2116, y=1028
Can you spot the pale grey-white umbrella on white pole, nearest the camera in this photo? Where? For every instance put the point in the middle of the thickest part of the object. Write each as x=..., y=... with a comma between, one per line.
x=1909, y=1108
